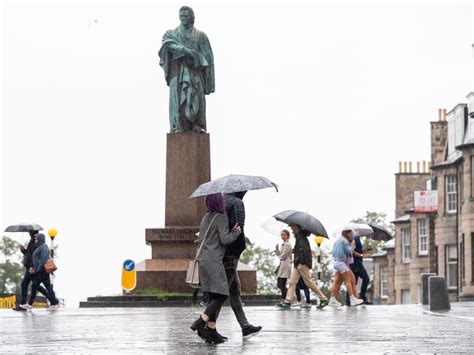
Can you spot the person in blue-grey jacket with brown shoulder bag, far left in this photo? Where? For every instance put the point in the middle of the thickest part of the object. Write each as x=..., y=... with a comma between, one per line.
x=40, y=276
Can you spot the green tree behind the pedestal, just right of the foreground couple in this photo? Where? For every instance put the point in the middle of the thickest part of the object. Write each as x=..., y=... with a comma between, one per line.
x=265, y=262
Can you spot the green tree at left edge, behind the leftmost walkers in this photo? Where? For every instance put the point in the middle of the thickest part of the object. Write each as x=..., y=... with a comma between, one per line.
x=11, y=269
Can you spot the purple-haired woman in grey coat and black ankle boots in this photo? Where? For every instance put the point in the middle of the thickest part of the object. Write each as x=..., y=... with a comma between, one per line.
x=214, y=236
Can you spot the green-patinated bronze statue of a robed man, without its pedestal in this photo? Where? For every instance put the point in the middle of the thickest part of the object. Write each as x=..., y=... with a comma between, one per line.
x=187, y=60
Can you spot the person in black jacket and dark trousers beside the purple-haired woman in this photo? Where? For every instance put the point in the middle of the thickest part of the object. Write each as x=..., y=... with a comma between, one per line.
x=235, y=209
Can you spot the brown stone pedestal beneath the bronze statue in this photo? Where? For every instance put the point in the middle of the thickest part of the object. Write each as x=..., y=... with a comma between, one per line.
x=188, y=165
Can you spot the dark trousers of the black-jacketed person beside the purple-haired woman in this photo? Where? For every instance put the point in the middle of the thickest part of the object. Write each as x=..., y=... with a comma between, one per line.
x=230, y=265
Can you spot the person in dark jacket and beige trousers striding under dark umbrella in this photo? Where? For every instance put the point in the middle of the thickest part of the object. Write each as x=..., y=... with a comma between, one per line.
x=303, y=262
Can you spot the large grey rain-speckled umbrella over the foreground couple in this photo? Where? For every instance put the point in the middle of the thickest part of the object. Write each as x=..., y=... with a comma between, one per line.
x=233, y=183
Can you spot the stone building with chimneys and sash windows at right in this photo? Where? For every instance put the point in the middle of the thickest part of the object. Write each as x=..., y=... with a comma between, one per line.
x=438, y=241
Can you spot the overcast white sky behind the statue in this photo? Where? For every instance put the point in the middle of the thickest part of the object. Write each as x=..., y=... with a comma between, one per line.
x=322, y=98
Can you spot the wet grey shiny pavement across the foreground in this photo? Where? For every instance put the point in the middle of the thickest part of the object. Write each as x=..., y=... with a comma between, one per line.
x=374, y=329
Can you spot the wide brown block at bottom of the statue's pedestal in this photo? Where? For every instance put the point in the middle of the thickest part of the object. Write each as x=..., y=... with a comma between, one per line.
x=170, y=275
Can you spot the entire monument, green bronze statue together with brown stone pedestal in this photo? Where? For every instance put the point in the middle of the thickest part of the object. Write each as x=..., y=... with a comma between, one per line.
x=187, y=60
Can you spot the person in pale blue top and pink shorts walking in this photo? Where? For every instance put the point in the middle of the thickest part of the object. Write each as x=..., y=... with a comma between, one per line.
x=342, y=253
